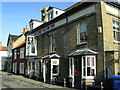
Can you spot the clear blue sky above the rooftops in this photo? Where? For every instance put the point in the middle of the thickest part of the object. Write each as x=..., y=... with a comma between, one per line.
x=16, y=15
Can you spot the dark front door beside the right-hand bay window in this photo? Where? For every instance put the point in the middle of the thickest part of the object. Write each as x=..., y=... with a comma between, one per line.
x=78, y=70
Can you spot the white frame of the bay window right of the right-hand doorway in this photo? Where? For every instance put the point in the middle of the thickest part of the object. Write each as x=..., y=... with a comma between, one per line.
x=88, y=77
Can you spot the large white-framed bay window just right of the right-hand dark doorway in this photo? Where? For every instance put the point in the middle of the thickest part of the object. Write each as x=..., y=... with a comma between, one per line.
x=88, y=66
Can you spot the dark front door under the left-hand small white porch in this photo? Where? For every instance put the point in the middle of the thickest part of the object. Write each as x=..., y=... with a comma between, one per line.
x=48, y=70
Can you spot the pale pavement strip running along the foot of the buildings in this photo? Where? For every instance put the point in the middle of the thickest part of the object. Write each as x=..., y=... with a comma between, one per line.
x=34, y=82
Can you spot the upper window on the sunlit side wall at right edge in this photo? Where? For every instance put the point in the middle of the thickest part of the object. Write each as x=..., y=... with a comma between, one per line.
x=116, y=30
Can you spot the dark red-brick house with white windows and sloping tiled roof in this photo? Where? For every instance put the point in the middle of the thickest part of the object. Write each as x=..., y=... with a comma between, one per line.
x=18, y=53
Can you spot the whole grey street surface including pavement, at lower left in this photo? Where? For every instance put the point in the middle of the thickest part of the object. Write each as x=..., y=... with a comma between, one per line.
x=17, y=81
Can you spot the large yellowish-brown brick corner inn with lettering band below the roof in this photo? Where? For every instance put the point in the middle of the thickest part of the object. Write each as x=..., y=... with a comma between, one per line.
x=79, y=44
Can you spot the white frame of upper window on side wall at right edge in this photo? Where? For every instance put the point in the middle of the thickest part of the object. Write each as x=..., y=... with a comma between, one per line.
x=116, y=31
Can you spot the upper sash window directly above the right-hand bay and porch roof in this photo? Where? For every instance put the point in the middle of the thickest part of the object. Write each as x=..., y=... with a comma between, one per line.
x=82, y=32
